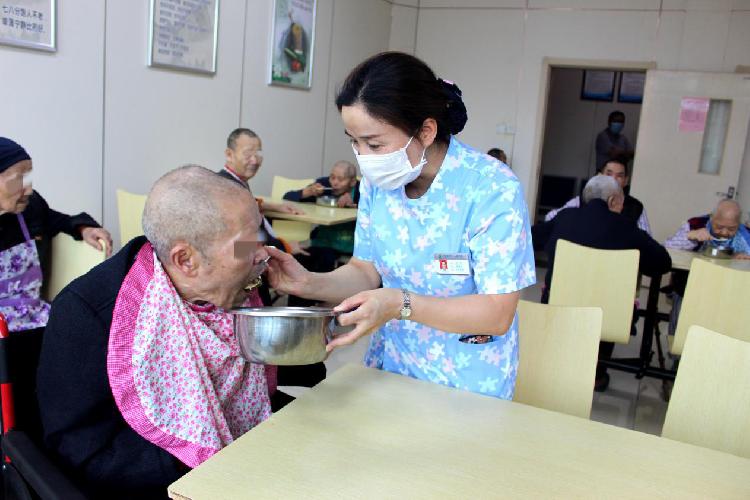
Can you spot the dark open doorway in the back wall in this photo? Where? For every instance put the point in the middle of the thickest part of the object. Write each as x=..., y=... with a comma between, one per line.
x=574, y=115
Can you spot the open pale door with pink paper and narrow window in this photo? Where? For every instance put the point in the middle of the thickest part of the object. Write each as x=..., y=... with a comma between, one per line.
x=691, y=143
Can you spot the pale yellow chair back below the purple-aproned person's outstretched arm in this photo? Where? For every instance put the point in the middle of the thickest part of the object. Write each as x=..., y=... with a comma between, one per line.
x=70, y=259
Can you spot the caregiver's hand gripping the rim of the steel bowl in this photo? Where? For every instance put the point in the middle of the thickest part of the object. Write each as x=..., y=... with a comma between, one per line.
x=368, y=310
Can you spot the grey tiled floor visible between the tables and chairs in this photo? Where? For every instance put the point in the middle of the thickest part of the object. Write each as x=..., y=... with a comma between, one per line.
x=628, y=402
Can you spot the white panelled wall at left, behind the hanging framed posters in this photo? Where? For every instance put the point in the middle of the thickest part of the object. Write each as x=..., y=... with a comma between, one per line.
x=95, y=118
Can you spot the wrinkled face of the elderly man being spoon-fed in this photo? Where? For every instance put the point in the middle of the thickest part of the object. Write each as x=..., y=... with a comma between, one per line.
x=233, y=261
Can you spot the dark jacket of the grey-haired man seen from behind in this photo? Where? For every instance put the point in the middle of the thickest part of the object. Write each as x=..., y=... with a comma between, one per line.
x=594, y=225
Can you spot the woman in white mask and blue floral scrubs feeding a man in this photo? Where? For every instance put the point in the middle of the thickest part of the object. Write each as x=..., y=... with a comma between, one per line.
x=443, y=227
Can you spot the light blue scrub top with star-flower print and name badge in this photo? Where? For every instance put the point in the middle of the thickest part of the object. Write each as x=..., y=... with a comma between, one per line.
x=475, y=208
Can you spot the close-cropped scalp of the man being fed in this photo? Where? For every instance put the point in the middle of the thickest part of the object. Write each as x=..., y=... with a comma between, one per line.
x=192, y=204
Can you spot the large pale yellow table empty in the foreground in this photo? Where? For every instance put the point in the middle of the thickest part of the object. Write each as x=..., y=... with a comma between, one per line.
x=364, y=433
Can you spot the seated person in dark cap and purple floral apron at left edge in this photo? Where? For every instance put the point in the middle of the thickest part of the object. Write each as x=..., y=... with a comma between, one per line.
x=25, y=222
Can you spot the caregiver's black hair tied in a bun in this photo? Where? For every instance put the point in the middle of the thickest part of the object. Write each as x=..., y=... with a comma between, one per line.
x=403, y=91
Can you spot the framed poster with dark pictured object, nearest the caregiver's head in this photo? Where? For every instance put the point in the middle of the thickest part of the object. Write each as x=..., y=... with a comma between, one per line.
x=292, y=42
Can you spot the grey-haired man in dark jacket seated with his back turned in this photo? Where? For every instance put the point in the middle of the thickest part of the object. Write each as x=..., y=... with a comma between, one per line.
x=599, y=224
